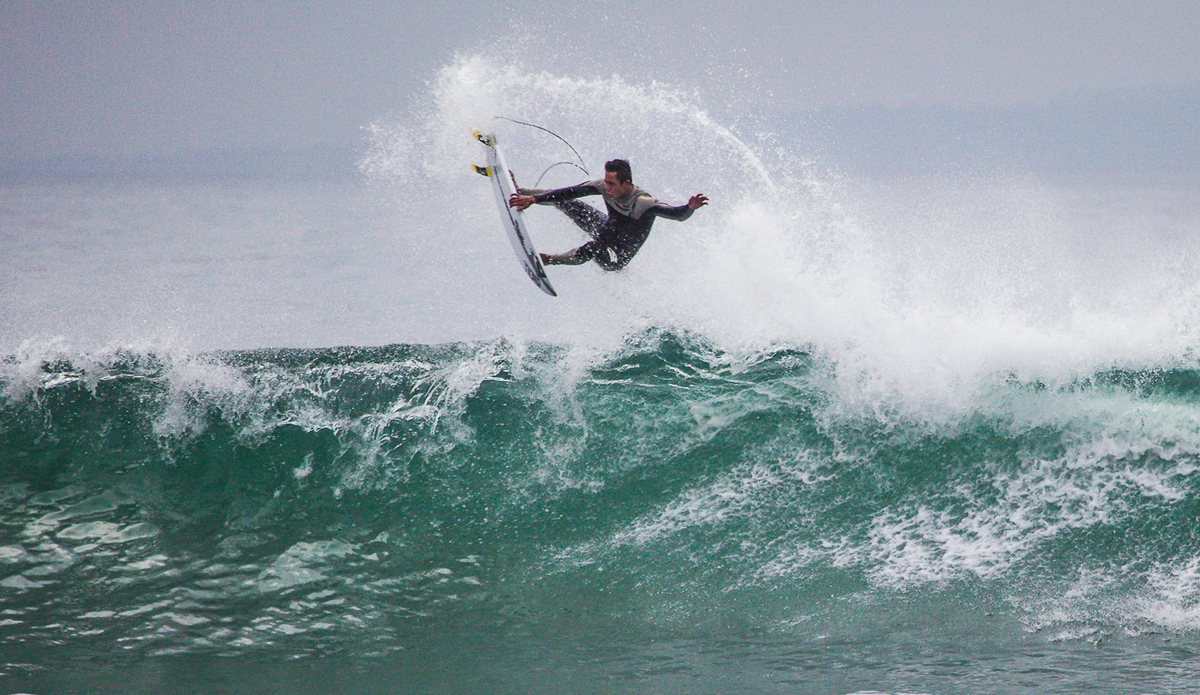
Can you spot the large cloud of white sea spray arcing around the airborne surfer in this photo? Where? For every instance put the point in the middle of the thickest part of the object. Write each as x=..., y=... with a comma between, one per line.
x=923, y=292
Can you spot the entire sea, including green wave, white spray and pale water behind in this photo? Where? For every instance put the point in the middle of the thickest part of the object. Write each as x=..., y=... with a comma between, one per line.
x=837, y=434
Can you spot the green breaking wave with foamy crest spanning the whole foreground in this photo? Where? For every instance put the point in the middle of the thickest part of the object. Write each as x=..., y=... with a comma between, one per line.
x=658, y=514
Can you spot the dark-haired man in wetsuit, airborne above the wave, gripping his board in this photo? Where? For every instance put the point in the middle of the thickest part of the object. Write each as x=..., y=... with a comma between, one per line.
x=619, y=237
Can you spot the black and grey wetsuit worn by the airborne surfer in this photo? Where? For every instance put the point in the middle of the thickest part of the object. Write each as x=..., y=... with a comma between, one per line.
x=617, y=237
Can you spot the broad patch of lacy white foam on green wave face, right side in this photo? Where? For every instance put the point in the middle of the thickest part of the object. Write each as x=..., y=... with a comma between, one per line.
x=1094, y=484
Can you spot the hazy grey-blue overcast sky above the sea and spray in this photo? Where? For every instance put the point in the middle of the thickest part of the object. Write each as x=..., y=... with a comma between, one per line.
x=157, y=79
